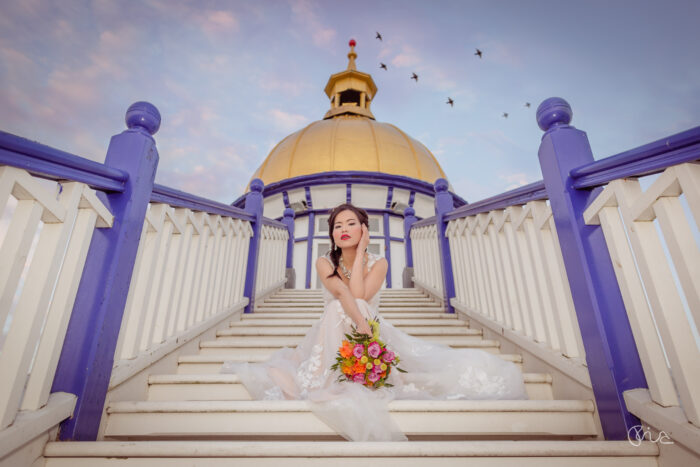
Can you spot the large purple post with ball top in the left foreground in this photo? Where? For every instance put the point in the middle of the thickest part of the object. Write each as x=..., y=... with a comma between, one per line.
x=87, y=357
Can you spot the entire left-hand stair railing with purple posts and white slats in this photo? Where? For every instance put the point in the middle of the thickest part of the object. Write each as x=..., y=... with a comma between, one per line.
x=103, y=273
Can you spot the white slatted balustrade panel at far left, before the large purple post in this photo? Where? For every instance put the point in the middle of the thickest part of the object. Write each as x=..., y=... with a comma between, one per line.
x=37, y=290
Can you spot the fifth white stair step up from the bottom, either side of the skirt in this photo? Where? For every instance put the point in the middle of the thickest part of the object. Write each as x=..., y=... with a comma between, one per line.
x=228, y=345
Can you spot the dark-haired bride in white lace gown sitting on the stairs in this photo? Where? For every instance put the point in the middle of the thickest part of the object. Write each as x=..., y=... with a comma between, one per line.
x=351, y=278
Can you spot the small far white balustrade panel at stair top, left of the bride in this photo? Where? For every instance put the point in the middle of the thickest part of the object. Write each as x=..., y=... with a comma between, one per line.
x=272, y=260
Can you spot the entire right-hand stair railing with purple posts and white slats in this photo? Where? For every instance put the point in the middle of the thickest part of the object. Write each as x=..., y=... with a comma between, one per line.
x=584, y=271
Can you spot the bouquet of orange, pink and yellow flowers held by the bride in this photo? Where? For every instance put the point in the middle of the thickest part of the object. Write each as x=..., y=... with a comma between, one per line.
x=366, y=359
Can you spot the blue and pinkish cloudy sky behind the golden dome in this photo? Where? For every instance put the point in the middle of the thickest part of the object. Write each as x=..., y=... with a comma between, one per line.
x=233, y=78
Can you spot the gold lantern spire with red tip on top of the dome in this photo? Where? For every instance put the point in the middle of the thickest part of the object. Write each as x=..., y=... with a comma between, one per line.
x=350, y=91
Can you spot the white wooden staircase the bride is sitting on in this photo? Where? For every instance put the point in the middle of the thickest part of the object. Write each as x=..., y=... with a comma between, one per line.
x=199, y=417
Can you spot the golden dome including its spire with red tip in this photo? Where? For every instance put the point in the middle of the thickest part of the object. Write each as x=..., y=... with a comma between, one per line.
x=349, y=139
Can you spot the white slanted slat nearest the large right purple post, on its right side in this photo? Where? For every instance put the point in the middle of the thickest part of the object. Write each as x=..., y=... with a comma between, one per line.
x=641, y=321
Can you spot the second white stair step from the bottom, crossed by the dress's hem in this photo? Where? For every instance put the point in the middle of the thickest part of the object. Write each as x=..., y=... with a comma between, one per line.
x=516, y=419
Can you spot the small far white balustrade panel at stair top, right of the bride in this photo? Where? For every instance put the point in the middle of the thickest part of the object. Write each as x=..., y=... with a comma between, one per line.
x=426, y=259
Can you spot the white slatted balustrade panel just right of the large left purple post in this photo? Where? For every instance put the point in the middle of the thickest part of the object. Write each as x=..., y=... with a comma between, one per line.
x=189, y=272
